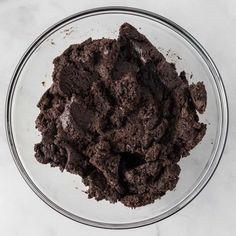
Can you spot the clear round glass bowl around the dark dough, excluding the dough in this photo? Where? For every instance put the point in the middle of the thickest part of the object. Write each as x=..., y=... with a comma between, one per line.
x=64, y=192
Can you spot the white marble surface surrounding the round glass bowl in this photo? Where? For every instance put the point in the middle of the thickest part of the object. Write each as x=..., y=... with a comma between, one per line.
x=212, y=22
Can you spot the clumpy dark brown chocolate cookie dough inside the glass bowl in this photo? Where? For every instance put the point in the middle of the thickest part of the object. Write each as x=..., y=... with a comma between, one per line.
x=120, y=116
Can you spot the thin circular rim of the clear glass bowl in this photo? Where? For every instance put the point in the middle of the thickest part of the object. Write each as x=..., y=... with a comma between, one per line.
x=183, y=33
